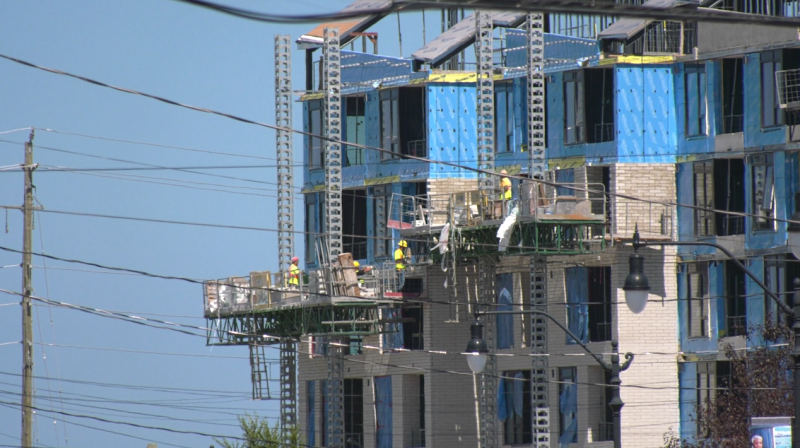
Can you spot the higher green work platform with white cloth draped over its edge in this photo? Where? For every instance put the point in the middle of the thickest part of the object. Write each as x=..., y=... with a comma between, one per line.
x=537, y=221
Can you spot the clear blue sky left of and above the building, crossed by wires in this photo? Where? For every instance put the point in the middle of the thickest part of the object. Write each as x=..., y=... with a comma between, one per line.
x=187, y=54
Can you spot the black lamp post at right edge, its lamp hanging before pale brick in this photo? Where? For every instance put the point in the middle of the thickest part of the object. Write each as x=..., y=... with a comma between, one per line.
x=794, y=243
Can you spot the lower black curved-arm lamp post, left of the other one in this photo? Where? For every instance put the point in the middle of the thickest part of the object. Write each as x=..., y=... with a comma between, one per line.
x=477, y=352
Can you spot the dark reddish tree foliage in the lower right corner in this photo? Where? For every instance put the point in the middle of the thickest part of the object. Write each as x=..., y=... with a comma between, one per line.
x=760, y=385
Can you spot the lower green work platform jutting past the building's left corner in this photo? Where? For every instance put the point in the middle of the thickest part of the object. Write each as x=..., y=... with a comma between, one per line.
x=263, y=309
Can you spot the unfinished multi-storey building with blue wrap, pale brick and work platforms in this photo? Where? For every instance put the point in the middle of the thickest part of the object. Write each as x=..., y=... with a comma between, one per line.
x=595, y=121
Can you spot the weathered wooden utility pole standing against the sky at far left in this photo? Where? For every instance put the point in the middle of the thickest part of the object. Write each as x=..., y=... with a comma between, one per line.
x=27, y=290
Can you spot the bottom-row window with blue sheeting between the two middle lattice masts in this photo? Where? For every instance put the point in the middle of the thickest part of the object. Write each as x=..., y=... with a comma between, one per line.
x=517, y=428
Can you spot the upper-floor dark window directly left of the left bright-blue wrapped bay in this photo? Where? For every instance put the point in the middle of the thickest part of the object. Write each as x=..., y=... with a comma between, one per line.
x=403, y=122
